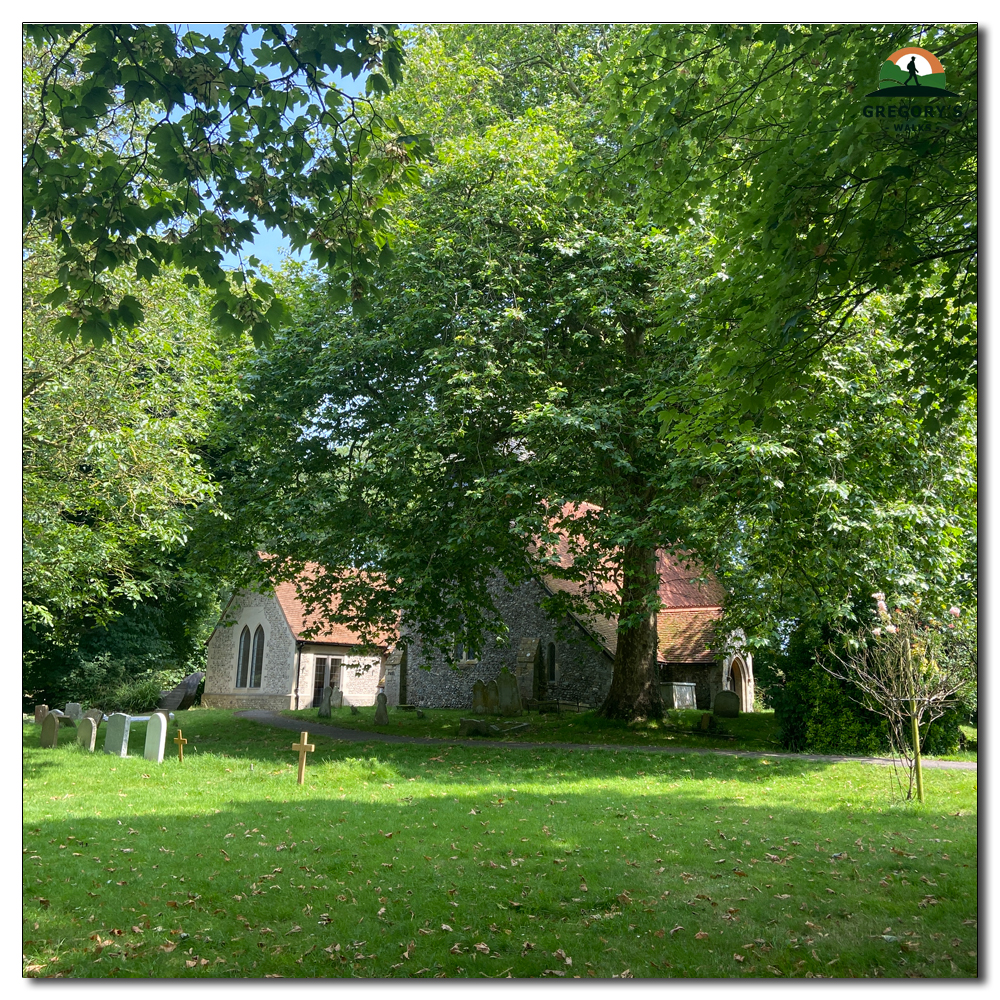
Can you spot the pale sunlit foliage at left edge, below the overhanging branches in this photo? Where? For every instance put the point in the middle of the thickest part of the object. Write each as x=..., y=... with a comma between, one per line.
x=111, y=472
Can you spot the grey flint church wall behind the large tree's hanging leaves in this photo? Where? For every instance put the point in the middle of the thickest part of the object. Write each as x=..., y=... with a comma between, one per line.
x=583, y=671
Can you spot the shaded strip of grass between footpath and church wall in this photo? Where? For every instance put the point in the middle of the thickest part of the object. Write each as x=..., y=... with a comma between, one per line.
x=749, y=731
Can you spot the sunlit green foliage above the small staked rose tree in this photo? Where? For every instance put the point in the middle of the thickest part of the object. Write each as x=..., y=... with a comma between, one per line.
x=808, y=509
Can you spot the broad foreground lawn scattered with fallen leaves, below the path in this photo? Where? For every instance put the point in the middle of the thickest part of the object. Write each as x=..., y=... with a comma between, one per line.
x=402, y=860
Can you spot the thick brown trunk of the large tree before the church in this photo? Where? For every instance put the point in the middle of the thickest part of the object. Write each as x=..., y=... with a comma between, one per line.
x=635, y=688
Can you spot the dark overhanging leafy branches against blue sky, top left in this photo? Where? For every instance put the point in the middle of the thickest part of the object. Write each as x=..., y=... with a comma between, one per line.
x=145, y=147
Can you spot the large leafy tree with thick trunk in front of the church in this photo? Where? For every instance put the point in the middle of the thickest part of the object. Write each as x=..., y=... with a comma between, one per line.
x=491, y=403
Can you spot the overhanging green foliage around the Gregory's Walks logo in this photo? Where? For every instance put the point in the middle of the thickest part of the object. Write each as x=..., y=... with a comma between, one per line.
x=760, y=129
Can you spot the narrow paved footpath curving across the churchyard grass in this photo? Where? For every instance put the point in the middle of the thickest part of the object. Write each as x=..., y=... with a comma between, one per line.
x=363, y=736
